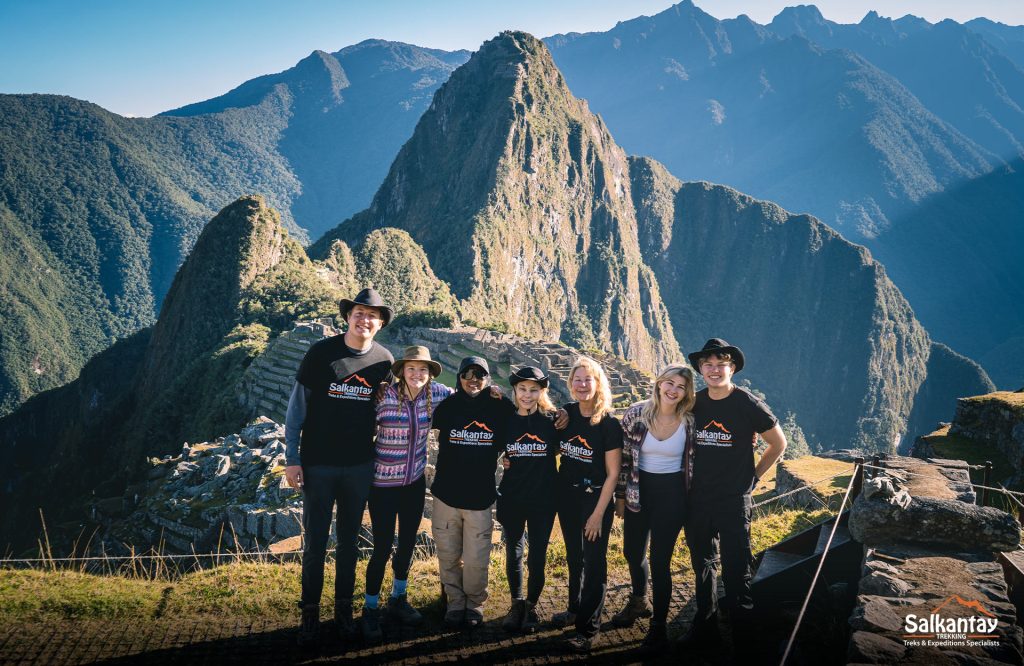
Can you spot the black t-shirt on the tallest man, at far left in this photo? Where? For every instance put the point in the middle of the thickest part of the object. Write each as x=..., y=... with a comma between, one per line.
x=342, y=417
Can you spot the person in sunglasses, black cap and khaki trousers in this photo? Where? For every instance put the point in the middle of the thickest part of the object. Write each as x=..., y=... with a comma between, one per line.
x=472, y=431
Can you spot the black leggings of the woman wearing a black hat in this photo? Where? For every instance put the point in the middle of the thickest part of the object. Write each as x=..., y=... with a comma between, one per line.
x=516, y=520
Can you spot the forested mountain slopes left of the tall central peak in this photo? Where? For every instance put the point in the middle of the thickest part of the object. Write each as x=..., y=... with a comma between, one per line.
x=99, y=212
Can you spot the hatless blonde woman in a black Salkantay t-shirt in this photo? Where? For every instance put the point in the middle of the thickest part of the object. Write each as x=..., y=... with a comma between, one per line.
x=591, y=456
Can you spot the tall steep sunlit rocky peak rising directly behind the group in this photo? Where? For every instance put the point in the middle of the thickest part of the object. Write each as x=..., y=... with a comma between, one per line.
x=519, y=195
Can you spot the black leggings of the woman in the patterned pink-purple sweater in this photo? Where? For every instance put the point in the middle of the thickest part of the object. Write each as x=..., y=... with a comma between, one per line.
x=406, y=504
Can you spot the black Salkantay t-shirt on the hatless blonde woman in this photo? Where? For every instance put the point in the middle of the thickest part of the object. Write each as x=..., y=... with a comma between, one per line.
x=583, y=447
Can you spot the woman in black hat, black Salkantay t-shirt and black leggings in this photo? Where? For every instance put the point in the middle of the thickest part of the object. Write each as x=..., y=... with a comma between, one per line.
x=527, y=495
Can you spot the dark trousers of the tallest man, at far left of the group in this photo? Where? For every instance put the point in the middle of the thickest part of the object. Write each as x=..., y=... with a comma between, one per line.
x=323, y=487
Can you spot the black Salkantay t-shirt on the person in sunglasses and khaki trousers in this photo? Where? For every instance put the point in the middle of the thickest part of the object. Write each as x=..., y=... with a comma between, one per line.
x=471, y=438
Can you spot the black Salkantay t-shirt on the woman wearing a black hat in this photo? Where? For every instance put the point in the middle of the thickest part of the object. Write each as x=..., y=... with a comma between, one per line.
x=531, y=446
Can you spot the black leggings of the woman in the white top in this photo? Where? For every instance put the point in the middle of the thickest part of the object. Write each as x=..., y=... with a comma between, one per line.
x=663, y=506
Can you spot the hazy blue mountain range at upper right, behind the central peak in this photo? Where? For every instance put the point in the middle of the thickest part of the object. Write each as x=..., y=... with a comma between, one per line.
x=916, y=112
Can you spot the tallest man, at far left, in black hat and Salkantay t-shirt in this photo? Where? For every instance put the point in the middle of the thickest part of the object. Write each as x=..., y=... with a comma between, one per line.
x=329, y=433
